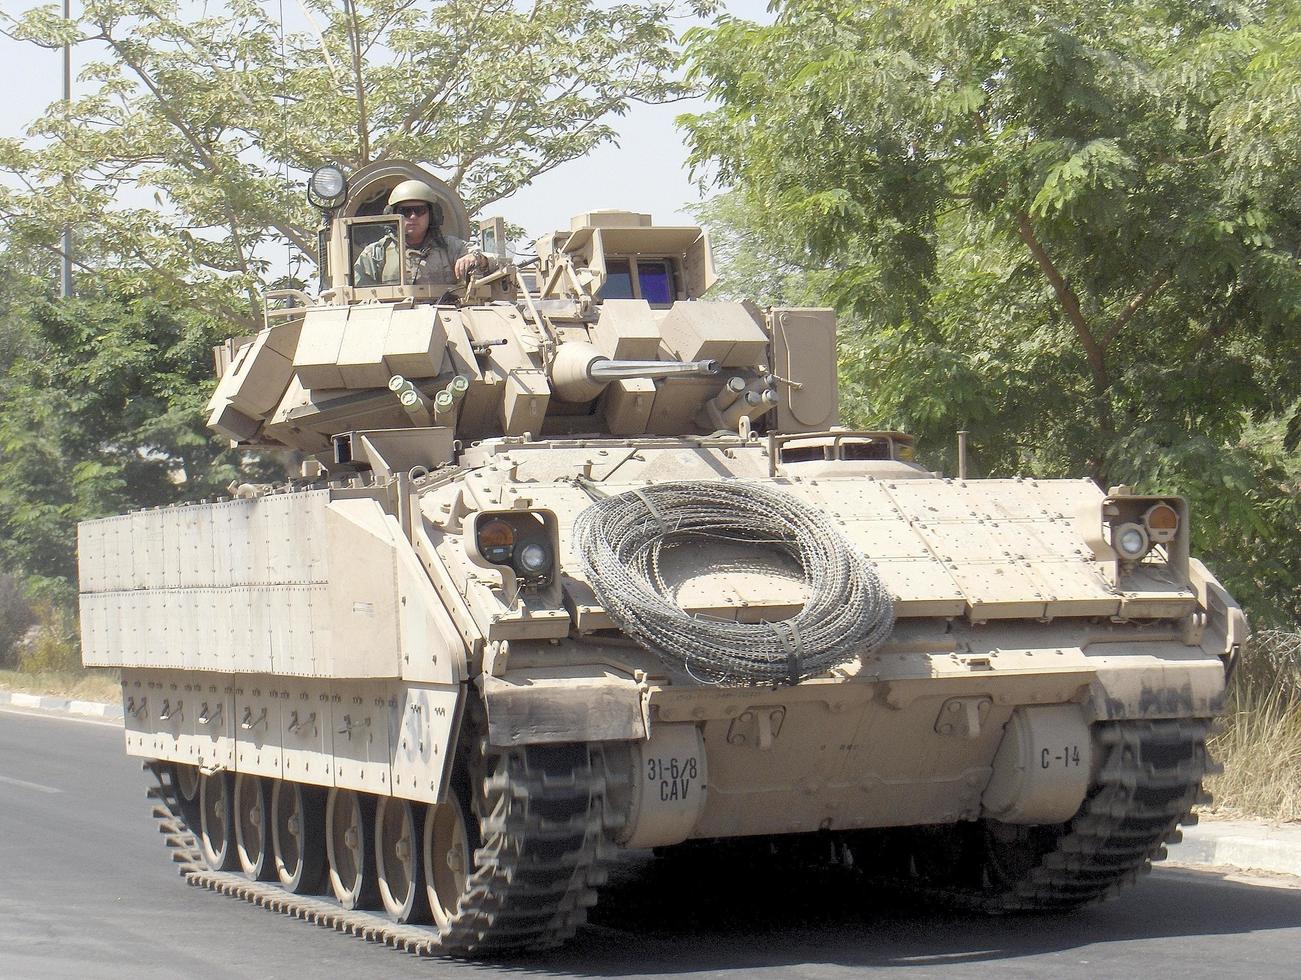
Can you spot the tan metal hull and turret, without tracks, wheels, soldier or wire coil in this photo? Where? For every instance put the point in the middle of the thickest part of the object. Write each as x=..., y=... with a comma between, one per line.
x=355, y=637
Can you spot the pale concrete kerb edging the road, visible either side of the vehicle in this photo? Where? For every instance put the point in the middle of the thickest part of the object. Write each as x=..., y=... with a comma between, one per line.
x=1251, y=845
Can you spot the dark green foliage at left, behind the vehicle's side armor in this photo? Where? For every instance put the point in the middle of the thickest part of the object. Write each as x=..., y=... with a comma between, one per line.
x=101, y=412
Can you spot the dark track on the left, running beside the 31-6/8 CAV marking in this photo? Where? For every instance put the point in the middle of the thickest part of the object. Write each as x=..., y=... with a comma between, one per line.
x=546, y=851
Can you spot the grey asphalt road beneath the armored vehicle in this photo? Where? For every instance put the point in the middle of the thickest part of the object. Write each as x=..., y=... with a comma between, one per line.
x=87, y=891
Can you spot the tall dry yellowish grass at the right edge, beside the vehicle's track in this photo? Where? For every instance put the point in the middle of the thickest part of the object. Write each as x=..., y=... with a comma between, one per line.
x=1261, y=744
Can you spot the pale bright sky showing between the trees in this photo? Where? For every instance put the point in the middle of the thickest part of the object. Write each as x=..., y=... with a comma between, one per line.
x=647, y=172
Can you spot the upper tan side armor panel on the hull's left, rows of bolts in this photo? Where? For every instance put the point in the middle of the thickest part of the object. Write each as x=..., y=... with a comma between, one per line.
x=288, y=584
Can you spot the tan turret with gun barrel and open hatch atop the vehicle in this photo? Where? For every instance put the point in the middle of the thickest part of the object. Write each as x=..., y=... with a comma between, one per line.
x=604, y=333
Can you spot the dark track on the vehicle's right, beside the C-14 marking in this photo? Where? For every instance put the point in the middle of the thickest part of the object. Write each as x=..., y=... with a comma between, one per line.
x=1148, y=784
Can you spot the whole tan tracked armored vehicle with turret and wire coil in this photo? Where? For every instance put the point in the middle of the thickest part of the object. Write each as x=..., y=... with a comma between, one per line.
x=581, y=562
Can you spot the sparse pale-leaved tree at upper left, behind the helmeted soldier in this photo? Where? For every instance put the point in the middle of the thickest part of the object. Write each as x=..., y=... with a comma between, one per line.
x=219, y=118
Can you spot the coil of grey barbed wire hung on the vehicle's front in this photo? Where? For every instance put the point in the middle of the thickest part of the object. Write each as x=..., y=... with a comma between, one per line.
x=619, y=542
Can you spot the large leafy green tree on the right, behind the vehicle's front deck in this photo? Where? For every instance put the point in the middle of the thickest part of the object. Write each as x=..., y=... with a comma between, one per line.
x=1071, y=228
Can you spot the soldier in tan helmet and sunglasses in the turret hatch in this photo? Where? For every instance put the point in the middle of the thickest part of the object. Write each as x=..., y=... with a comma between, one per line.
x=433, y=257
